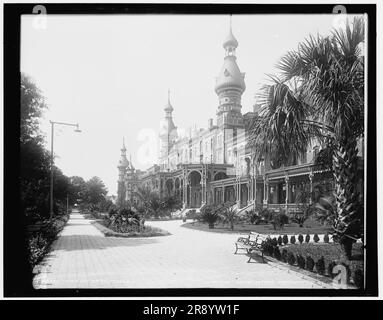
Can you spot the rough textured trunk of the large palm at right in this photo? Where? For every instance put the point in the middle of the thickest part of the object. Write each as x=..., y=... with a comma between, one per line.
x=346, y=195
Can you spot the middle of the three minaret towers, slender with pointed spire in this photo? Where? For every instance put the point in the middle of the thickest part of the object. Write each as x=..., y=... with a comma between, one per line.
x=168, y=133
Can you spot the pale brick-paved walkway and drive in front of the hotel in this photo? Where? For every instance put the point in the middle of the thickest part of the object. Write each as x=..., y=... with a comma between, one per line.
x=83, y=258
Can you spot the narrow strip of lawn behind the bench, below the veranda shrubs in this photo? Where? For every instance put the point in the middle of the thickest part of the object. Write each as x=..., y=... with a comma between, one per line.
x=310, y=227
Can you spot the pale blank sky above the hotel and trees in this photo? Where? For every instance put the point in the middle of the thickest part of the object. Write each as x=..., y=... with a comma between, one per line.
x=111, y=75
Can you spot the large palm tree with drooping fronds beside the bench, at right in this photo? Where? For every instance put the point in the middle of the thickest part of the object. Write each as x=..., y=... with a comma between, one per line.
x=319, y=95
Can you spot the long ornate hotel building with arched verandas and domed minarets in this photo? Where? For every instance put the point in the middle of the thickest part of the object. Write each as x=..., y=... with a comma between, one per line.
x=214, y=165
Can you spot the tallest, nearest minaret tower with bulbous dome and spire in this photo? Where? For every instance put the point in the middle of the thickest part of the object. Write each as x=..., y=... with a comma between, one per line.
x=230, y=85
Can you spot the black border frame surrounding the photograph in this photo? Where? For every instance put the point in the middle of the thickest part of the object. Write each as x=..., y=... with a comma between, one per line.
x=17, y=280
